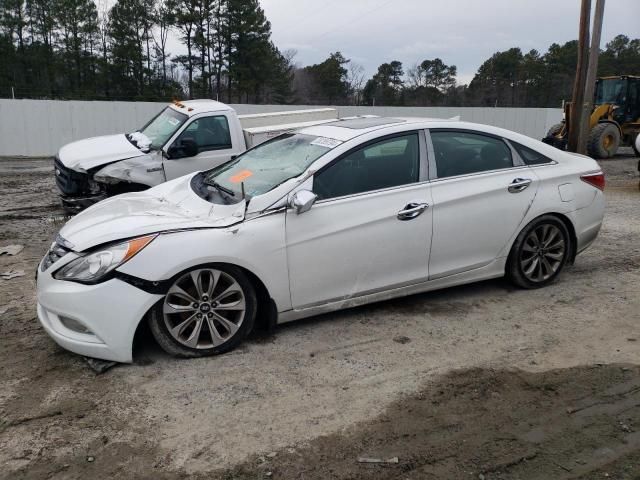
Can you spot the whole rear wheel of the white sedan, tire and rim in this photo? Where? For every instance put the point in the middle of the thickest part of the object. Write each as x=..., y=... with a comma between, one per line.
x=539, y=253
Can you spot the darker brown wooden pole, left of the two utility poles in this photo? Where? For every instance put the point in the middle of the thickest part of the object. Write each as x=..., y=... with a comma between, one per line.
x=577, y=99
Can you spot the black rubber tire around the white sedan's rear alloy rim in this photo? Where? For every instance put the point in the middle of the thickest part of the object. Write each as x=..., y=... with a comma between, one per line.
x=520, y=253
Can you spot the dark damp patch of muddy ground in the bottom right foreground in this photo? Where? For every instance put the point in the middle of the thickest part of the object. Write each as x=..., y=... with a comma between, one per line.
x=483, y=423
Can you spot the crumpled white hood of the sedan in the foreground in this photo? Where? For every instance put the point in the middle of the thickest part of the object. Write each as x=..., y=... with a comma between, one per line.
x=170, y=206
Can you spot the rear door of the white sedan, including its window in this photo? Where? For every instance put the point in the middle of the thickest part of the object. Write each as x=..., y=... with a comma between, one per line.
x=481, y=193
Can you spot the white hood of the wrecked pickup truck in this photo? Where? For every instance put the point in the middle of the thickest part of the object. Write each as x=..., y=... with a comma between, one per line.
x=92, y=152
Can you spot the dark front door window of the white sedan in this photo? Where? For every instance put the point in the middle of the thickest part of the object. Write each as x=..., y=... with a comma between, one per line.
x=388, y=163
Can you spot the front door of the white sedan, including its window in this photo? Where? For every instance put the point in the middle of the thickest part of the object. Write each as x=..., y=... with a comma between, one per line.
x=369, y=231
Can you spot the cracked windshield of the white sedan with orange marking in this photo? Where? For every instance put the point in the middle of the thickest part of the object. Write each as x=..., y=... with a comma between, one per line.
x=271, y=163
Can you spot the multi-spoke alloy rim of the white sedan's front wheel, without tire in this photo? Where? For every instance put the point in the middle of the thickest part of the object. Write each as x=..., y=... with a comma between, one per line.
x=204, y=308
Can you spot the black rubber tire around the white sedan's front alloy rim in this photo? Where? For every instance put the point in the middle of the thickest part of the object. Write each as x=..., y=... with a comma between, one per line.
x=167, y=341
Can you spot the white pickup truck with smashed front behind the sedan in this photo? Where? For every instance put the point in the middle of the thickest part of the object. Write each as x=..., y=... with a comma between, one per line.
x=184, y=137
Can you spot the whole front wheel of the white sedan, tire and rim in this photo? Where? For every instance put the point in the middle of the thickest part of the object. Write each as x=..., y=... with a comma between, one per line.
x=206, y=311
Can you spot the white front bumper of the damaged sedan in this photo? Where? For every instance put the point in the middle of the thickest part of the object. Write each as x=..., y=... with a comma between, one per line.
x=97, y=321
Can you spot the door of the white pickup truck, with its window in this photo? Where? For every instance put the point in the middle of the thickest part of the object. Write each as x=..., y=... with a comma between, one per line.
x=211, y=135
